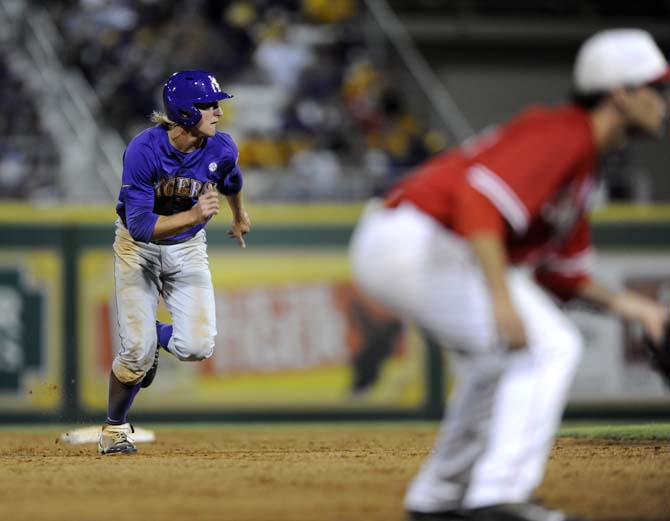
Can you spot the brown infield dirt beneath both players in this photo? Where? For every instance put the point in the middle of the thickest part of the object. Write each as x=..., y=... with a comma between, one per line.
x=297, y=473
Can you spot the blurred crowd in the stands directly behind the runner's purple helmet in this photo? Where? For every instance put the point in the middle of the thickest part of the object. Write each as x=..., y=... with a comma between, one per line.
x=333, y=107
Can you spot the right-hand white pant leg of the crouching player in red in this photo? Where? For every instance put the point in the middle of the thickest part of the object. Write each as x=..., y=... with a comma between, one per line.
x=529, y=402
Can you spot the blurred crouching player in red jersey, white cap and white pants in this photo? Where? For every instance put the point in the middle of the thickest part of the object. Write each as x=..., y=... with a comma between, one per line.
x=470, y=246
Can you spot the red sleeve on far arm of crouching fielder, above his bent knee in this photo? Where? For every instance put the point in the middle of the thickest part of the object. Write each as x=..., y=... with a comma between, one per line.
x=569, y=267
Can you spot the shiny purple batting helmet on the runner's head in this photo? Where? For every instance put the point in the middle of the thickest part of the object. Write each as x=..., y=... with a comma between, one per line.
x=184, y=89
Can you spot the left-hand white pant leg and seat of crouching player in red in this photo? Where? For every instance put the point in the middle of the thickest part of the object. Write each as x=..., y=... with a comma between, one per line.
x=413, y=266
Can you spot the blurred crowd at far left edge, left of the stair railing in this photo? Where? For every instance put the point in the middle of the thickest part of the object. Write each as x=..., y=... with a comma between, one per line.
x=28, y=158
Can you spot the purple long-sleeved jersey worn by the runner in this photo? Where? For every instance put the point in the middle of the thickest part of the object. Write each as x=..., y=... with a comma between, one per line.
x=158, y=179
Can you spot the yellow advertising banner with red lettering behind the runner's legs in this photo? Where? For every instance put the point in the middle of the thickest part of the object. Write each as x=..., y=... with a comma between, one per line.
x=293, y=333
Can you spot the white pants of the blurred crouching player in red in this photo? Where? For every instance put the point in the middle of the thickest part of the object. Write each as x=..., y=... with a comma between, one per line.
x=499, y=425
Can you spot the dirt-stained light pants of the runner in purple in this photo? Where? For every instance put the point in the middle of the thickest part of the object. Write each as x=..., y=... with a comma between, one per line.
x=180, y=273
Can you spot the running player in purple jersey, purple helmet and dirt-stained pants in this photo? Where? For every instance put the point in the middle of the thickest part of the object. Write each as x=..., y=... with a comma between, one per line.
x=172, y=175
